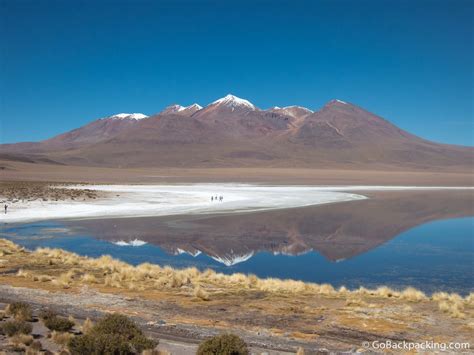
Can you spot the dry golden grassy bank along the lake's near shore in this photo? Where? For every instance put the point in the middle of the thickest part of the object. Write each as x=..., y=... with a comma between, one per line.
x=192, y=304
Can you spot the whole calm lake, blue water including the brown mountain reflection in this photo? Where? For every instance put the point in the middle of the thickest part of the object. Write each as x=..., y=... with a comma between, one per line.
x=423, y=239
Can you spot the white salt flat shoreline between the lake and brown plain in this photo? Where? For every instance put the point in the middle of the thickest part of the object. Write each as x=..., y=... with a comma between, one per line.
x=132, y=200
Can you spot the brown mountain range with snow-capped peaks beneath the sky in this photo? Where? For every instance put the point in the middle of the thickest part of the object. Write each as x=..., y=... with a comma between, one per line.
x=232, y=132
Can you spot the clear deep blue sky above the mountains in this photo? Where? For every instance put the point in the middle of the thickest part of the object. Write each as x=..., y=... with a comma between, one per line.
x=66, y=63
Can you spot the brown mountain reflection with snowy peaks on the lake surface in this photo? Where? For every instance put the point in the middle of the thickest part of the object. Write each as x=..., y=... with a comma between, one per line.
x=338, y=231
